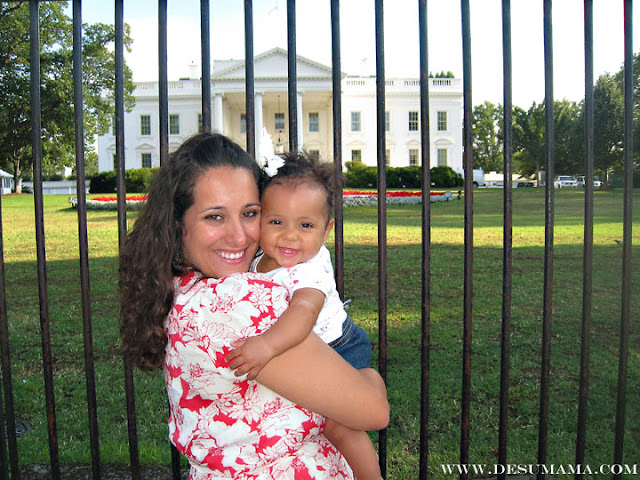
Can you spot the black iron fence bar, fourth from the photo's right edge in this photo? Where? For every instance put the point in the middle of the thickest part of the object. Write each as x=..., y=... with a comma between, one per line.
x=507, y=257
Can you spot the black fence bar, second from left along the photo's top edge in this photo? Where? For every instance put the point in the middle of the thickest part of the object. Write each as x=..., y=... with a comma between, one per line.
x=78, y=103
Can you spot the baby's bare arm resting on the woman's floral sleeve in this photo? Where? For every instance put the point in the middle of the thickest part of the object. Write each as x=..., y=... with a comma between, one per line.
x=293, y=326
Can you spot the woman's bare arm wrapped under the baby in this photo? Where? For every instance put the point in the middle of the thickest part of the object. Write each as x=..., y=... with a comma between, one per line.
x=315, y=377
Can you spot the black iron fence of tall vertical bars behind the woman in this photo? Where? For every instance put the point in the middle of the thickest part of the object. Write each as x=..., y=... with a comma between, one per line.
x=11, y=464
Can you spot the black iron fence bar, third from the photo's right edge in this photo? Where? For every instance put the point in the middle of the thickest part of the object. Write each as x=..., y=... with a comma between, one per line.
x=548, y=246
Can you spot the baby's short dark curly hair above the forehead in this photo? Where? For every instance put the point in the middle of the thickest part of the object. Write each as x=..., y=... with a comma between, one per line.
x=302, y=167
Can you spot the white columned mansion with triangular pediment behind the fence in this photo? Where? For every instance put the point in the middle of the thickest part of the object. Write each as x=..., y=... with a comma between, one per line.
x=314, y=111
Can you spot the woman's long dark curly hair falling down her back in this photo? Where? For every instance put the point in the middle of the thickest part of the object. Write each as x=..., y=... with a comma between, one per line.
x=152, y=253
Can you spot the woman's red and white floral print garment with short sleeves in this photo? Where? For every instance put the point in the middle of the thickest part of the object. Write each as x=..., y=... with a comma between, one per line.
x=228, y=426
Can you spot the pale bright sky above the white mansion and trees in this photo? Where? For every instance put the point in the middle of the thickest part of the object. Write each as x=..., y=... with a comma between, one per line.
x=401, y=39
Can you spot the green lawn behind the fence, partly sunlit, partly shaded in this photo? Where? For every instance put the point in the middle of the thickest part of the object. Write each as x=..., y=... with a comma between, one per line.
x=404, y=330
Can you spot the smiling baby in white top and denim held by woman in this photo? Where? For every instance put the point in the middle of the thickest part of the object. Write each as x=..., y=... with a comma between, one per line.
x=297, y=203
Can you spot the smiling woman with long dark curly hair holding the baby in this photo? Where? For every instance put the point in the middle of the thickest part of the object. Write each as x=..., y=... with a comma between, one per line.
x=186, y=298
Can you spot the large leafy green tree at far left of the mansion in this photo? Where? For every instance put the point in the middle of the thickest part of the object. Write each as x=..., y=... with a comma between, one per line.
x=56, y=90
